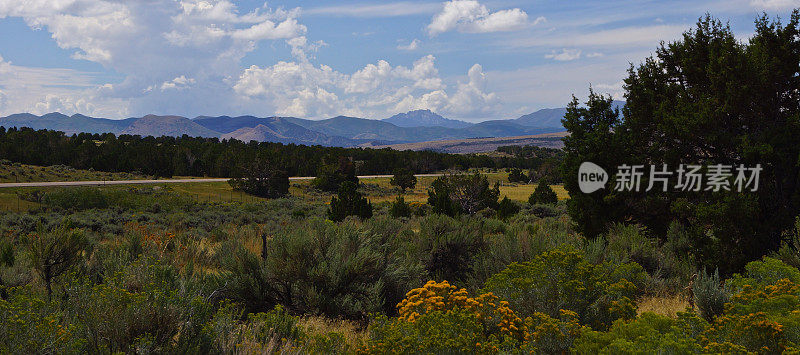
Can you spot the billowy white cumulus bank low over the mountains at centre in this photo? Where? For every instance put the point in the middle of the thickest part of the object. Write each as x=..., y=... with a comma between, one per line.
x=302, y=89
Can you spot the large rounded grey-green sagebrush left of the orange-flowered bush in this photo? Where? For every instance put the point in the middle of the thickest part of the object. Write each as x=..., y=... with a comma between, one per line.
x=319, y=267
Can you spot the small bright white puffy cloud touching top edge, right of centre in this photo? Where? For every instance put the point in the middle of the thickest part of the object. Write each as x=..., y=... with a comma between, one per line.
x=471, y=16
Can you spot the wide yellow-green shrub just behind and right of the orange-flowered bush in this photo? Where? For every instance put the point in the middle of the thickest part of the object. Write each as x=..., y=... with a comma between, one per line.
x=562, y=279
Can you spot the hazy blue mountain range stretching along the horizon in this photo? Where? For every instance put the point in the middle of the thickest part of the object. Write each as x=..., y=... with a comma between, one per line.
x=343, y=131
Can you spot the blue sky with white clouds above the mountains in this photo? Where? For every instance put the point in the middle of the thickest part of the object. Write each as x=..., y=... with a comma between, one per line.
x=464, y=59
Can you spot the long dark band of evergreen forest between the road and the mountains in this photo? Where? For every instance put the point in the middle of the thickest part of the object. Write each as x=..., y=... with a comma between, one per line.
x=167, y=156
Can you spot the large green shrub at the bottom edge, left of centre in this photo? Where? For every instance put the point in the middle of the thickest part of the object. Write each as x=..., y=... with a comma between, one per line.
x=143, y=308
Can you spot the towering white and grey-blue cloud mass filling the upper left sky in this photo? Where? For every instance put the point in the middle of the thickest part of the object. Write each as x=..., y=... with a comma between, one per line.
x=175, y=56
